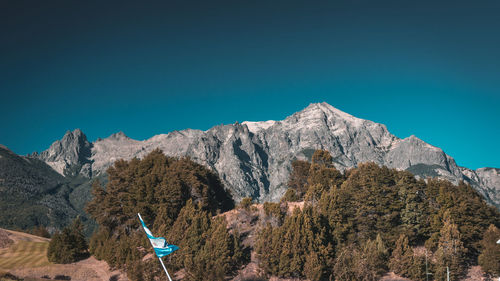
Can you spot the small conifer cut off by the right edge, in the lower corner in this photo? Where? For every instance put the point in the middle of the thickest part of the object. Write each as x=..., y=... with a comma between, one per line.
x=489, y=259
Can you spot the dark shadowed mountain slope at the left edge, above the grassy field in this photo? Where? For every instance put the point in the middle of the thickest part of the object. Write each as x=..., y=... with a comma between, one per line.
x=31, y=193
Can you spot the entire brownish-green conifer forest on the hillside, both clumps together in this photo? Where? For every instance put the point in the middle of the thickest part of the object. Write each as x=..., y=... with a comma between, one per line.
x=355, y=225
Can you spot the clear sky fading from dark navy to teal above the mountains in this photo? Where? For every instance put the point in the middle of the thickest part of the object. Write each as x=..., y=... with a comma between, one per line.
x=428, y=68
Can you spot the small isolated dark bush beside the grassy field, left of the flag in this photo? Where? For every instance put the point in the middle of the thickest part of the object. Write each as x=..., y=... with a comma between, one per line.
x=69, y=245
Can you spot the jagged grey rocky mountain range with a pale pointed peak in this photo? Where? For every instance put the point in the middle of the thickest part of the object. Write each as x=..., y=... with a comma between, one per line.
x=254, y=158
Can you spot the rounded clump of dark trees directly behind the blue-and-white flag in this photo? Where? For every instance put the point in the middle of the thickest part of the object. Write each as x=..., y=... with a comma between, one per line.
x=160, y=187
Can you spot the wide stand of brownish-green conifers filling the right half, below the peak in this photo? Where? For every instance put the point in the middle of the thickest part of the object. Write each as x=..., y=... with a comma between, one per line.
x=369, y=213
